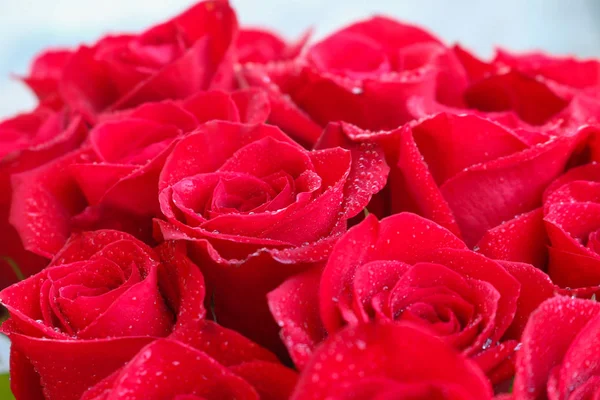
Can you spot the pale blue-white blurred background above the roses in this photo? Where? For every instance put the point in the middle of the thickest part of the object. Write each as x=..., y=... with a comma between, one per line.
x=557, y=26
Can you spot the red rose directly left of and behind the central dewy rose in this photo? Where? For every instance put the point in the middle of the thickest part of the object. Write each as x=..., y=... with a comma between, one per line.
x=112, y=180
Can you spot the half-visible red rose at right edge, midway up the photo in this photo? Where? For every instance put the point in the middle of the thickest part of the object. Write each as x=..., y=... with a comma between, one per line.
x=562, y=236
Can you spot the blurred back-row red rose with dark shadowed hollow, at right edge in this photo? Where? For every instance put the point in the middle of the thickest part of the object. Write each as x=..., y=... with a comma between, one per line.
x=520, y=91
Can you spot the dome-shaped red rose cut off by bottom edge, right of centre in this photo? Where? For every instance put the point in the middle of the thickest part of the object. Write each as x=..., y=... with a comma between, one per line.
x=387, y=361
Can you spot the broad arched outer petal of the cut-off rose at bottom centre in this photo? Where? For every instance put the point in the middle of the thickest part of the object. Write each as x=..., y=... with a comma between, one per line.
x=372, y=351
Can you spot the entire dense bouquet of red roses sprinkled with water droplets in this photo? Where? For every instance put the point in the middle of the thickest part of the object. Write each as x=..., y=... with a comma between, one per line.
x=204, y=210
